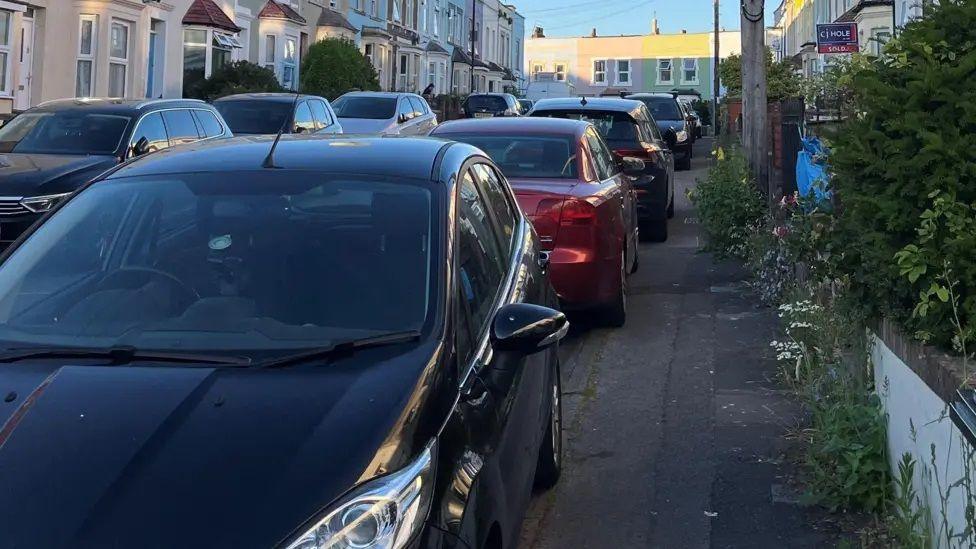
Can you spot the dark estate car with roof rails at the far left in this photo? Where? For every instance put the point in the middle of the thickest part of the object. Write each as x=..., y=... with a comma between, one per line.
x=56, y=147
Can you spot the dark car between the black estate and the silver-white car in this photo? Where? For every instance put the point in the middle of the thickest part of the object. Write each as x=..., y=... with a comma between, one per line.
x=268, y=113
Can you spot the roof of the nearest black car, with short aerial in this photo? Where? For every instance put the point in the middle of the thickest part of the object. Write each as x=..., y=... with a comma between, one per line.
x=380, y=156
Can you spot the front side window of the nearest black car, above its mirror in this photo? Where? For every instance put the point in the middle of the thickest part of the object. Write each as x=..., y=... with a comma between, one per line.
x=480, y=271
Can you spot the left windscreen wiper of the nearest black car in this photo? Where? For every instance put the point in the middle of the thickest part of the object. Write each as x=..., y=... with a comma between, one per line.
x=119, y=355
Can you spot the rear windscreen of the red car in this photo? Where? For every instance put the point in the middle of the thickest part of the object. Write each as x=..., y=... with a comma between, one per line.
x=527, y=156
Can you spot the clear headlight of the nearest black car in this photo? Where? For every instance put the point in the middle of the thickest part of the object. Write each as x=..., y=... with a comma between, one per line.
x=383, y=513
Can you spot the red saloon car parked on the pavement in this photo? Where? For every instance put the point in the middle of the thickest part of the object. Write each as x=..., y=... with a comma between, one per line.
x=579, y=197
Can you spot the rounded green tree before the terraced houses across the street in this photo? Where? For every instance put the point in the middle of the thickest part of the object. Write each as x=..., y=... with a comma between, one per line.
x=334, y=66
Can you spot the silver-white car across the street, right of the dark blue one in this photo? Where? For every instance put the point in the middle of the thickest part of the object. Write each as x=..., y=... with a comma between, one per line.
x=387, y=113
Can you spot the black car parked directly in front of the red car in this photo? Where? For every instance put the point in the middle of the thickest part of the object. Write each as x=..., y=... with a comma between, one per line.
x=630, y=131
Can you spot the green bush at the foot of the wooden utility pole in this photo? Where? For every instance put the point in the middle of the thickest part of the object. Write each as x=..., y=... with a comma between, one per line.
x=730, y=207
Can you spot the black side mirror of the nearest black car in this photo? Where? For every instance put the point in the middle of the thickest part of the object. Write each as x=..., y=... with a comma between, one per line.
x=526, y=329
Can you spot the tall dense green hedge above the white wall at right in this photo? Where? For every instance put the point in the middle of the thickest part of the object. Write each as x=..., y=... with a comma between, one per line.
x=904, y=171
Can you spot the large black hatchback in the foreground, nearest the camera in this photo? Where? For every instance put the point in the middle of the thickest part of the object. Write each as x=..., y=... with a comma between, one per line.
x=348, y=343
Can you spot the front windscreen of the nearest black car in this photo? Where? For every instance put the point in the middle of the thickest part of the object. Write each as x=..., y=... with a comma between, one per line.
x=242, y=262
